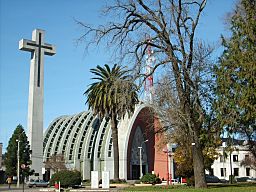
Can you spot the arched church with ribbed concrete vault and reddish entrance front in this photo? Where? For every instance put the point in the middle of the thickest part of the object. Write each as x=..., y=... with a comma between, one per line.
x=86, y=143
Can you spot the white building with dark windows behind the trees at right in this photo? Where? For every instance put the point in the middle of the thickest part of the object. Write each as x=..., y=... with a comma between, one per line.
x=225, y=162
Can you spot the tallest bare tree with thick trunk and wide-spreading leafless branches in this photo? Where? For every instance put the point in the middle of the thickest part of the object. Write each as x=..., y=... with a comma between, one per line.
x=169, y=27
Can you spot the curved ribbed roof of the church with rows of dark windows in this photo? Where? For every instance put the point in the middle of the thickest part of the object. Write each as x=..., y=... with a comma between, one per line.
x=79, y=136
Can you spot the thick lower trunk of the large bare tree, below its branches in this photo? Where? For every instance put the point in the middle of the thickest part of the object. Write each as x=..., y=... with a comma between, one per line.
x=198, y=162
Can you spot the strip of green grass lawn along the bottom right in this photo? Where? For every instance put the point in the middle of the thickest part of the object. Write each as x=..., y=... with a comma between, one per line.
x=212, y=188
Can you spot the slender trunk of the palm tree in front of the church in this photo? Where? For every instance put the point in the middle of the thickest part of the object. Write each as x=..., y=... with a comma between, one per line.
x=115, y=146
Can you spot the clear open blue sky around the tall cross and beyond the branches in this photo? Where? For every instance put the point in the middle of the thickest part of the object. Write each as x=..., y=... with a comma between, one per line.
x=66, y=74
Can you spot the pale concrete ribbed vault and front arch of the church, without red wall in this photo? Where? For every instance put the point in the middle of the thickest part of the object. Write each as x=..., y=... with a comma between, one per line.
x=87, y=136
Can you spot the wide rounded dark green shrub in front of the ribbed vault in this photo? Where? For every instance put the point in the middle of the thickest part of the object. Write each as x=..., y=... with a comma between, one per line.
x=67, y=178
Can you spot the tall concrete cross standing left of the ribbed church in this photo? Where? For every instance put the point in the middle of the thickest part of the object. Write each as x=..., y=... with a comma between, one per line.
x=38, y=49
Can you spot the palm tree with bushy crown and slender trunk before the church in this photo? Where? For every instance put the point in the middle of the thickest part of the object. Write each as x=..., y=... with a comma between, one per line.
x=112, y=96
